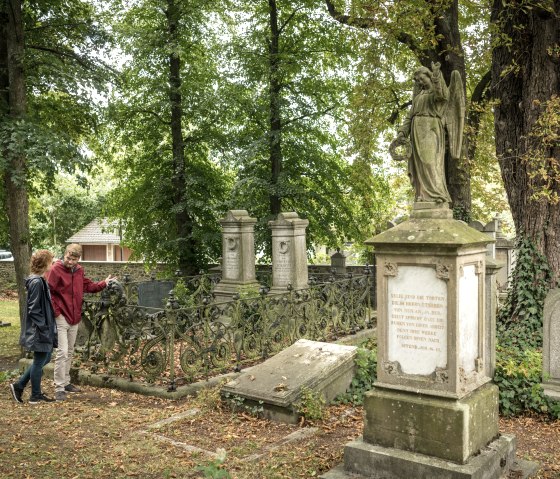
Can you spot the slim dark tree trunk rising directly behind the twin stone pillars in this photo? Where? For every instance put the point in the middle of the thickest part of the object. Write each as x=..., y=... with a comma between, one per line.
x=275, y=121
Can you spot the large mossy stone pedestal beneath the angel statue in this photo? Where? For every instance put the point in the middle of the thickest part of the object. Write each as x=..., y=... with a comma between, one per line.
x=433, y=410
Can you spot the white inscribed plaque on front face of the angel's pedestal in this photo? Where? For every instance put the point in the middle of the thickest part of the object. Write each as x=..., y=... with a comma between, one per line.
x=417, y=320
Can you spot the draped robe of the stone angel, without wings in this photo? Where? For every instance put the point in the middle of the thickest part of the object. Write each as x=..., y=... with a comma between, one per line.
x=424, y=125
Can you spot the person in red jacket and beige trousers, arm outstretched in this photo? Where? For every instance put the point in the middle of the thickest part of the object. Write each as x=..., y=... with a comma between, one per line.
x=68, y=284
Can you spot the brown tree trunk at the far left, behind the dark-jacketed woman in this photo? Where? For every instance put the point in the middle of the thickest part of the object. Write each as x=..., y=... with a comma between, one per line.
x=15, y=176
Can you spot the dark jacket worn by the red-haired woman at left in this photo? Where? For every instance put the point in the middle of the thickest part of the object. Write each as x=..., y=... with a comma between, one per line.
x=40, y=327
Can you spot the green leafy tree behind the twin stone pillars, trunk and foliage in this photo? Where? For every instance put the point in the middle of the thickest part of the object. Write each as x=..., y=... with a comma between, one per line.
x=291, y=93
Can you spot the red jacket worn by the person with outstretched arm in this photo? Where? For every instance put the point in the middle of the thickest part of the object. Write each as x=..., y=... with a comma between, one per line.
x=67, y=290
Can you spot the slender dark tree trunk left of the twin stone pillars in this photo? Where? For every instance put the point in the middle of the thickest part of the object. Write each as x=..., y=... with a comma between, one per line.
x=184, y=226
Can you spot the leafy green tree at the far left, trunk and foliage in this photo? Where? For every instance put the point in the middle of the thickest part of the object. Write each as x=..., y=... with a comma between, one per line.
x=47, y=72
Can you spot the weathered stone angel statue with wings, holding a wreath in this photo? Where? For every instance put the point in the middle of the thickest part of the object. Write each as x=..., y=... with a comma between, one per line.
x=436, y=111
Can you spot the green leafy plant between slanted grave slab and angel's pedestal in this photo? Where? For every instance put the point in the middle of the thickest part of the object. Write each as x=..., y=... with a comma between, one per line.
x=364, y=377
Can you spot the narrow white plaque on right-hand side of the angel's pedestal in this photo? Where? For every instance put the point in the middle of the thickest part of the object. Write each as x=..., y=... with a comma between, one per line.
x=468, y=319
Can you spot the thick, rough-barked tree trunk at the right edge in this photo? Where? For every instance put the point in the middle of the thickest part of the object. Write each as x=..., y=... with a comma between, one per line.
x=526, y=81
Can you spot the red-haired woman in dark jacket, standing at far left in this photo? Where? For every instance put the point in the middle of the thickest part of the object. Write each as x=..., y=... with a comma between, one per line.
x=39, y=334
